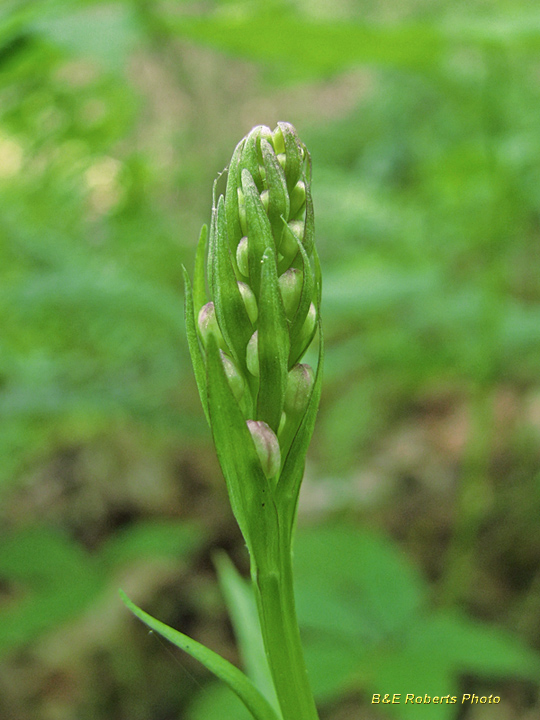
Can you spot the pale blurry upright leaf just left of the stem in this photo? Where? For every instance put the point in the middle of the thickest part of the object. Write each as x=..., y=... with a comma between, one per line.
x=242, y=609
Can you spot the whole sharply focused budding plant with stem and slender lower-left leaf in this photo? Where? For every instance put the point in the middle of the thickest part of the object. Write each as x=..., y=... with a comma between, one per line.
x=264, y=279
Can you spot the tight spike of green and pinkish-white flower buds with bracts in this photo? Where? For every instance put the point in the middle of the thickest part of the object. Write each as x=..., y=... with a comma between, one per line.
x=263, y=277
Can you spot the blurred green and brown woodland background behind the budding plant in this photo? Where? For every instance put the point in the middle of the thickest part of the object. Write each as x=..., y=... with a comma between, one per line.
x=418, y=552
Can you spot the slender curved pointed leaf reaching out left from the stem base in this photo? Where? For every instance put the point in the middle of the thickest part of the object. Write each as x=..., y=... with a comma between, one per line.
x=255, y=702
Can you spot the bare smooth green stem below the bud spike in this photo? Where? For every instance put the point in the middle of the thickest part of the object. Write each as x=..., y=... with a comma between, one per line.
x=277, y=613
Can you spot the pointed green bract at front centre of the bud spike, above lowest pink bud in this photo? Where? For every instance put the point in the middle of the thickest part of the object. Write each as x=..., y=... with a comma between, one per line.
x=273, y=345
